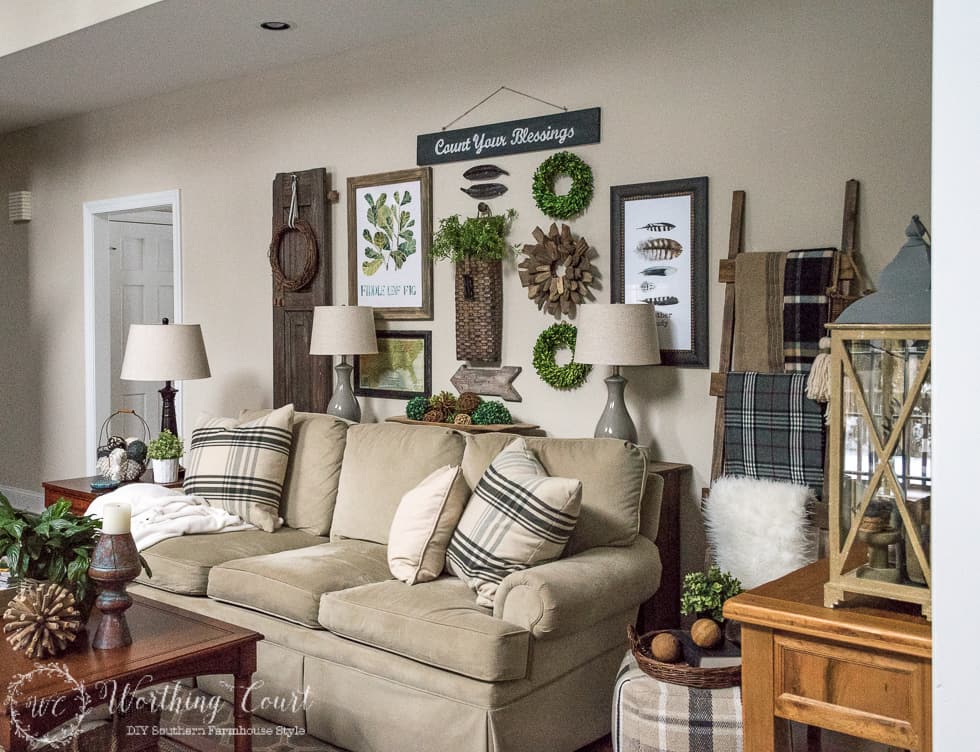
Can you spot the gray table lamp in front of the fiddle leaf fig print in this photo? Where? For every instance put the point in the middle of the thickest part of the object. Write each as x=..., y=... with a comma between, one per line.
x=343, y=330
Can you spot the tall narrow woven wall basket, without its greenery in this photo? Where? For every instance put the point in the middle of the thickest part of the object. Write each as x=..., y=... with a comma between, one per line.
x=479, y=310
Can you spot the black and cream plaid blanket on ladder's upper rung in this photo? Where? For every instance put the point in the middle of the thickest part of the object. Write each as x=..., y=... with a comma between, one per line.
x=805, y=305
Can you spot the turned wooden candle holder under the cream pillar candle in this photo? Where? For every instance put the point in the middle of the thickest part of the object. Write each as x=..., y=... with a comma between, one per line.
x=115, y=562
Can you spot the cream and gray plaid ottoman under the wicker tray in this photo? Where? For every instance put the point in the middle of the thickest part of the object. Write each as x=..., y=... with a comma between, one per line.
x=653, y=716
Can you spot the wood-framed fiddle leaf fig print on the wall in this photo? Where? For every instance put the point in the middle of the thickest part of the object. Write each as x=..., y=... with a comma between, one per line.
x=389, y=231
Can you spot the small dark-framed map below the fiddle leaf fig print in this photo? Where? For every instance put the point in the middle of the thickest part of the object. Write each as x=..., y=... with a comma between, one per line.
x=394, y=372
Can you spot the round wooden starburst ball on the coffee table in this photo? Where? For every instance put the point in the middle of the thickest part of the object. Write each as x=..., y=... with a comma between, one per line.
x=40, y=621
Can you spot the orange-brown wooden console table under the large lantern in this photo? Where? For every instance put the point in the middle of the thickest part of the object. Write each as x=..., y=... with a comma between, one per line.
x=858, y=669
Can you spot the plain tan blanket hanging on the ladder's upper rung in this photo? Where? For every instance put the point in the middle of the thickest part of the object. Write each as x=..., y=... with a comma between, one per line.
x=758, y=341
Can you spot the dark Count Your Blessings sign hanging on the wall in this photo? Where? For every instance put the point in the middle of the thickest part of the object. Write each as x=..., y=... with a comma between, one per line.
x=513, y=137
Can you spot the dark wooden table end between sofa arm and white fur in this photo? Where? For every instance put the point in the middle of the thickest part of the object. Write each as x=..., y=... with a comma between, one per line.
x=662, y=611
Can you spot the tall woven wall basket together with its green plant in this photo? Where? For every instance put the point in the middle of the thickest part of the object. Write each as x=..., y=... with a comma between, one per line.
x=476, y=246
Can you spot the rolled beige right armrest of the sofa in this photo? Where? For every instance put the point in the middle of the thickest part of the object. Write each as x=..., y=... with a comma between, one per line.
x=567, y=595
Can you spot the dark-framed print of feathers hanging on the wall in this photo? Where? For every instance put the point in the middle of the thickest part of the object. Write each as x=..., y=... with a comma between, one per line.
x=659, y=250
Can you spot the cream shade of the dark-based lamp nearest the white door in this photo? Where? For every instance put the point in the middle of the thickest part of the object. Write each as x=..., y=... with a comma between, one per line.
x=165, y=352
